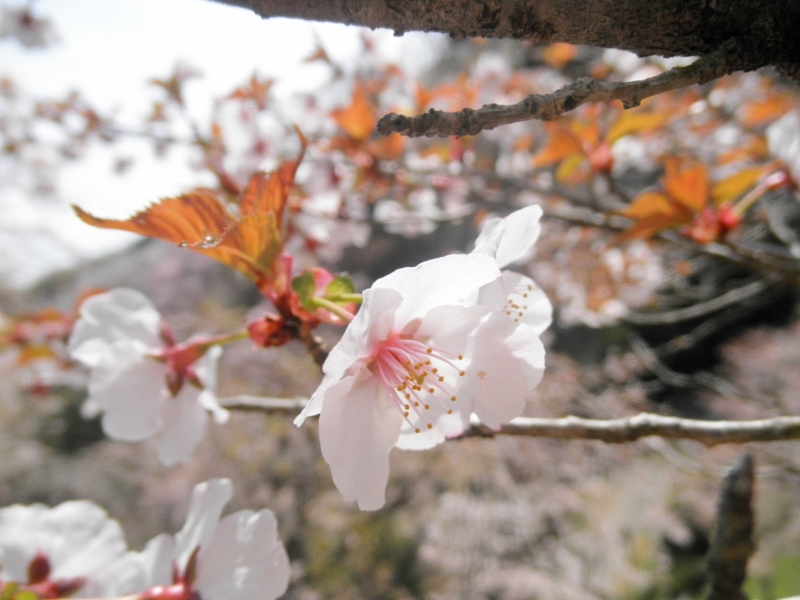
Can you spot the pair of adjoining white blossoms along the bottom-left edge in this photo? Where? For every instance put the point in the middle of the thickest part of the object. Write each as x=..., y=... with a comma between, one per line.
x=76, y=550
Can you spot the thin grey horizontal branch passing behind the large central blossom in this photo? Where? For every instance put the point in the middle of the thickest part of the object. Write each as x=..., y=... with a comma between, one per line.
x=612, y=431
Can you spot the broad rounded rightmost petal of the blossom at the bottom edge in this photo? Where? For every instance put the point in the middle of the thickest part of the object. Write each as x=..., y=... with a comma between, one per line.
x=244, y=559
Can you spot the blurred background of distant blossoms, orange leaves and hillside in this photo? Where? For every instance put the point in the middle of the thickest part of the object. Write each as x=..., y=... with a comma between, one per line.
x=639, y=321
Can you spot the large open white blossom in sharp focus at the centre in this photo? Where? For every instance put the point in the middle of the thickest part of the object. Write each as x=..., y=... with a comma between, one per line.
x=418, y=359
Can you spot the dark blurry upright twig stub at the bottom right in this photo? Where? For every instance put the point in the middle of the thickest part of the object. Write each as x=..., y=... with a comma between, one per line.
x=732, y=543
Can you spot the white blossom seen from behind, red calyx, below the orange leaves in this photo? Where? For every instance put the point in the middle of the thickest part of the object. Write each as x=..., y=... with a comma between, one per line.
x=141, y=381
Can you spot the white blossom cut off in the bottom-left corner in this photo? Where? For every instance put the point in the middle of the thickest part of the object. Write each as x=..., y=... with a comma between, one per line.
x=55, y=552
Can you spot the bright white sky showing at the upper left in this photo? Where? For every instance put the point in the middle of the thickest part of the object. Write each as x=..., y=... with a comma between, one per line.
x=109, y=50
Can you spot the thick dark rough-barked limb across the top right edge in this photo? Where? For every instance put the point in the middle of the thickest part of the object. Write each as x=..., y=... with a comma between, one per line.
x=766, y=29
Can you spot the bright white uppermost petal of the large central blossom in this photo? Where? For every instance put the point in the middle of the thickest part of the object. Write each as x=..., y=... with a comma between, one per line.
x=442, y=281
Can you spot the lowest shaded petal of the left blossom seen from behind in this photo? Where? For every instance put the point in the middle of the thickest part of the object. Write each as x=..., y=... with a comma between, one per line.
x=184, y=425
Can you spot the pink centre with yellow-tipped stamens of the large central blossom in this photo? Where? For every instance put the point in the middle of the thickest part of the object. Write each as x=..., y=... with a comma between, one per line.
x=416, y=375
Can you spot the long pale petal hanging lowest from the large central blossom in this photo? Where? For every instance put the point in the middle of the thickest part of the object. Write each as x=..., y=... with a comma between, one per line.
x=357, y=429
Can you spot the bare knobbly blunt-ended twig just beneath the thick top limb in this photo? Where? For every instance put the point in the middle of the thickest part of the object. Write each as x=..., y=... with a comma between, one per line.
x=436, y=123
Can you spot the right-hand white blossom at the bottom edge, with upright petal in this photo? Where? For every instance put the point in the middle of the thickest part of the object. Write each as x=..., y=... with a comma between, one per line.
x=238, y=557
